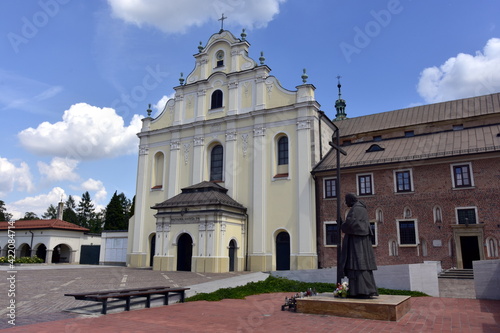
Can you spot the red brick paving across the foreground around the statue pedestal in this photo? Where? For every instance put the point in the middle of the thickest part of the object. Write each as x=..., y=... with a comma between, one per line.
x=262, y=313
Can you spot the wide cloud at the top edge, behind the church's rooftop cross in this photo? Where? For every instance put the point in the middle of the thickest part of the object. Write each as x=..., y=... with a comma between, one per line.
x=178, y=16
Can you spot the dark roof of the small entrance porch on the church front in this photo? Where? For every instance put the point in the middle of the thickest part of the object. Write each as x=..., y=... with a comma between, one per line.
x=204, y=193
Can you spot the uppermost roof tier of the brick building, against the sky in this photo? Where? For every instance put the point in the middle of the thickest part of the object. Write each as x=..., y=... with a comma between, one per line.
x=445, y=111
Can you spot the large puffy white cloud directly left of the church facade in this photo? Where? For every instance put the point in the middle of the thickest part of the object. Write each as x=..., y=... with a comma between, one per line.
x=86, y=132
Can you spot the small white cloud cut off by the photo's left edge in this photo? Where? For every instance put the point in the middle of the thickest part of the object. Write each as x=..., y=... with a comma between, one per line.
x=13, y=177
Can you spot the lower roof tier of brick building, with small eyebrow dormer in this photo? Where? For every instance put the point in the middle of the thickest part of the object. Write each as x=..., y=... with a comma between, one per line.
x=443, y=144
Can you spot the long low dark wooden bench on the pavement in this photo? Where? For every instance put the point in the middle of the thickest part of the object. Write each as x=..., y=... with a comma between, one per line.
x=127, y=294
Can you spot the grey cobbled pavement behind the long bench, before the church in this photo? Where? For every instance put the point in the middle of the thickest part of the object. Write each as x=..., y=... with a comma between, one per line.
x=40, y=292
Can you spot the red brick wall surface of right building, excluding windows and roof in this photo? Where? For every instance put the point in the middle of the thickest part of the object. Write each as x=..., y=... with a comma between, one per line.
x=432, y=184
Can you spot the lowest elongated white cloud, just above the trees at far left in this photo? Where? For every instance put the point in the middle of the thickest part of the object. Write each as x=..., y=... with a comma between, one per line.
x=37, y=204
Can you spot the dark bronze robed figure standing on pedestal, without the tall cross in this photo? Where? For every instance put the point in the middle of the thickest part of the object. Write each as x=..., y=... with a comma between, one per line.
x=358, y=259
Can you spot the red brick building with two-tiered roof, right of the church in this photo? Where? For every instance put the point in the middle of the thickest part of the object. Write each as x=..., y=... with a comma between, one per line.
x=430, y=176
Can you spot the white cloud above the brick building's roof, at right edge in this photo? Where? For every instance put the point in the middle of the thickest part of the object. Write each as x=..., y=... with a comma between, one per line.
x=463, y=76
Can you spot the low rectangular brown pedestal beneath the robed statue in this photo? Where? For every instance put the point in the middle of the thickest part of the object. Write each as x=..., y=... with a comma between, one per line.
x=383, y=307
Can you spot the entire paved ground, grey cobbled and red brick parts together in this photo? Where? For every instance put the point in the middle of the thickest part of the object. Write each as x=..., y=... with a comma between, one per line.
x=258, y=313
